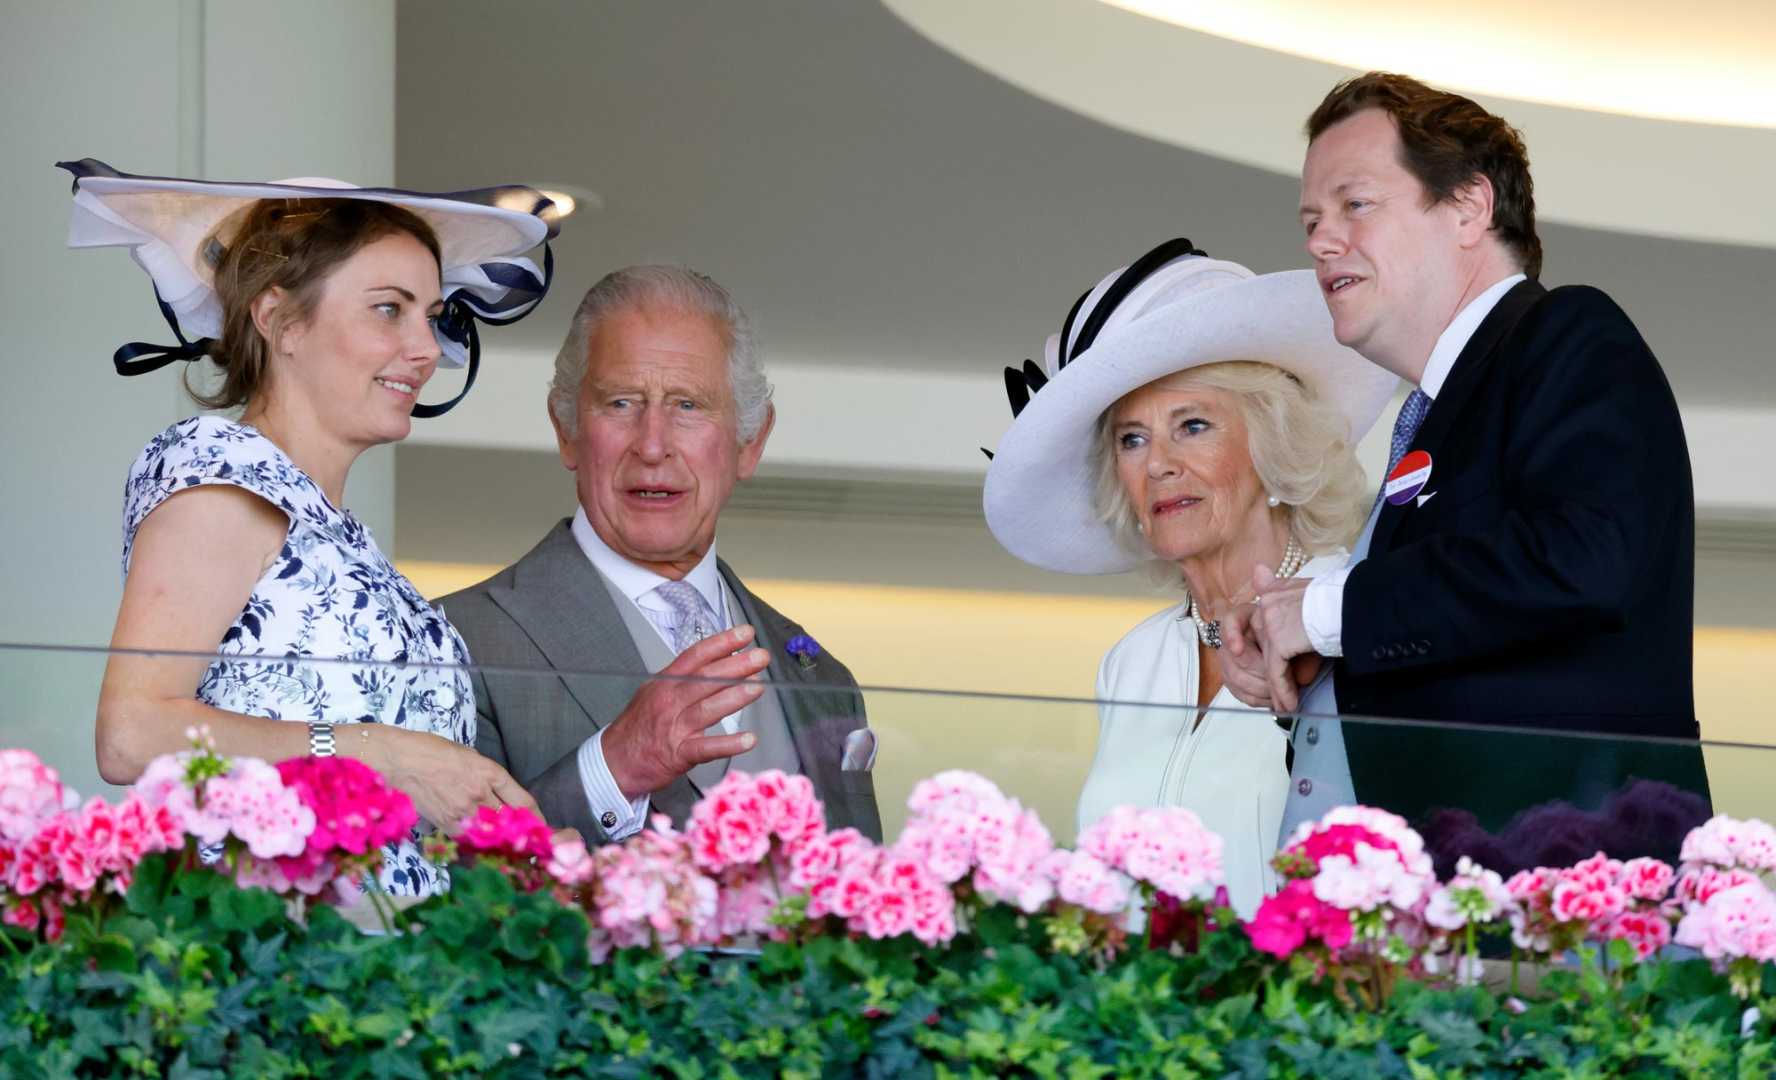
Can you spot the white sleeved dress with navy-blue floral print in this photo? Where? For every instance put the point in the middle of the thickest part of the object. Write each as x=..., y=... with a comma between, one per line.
x=331, y=596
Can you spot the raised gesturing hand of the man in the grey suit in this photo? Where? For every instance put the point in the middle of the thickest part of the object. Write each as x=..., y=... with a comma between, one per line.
x=660, y=738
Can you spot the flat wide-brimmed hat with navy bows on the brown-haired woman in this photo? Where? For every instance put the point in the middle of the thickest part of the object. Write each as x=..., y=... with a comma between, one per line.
x=178, y=230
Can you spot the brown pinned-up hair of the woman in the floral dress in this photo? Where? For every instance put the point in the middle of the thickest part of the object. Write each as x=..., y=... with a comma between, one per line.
x=290, y=244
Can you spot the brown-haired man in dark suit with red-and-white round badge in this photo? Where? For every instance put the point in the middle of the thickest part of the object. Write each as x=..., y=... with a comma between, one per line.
x=1530, y=560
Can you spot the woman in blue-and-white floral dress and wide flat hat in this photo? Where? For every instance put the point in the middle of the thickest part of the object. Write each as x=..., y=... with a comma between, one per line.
x=326, y=310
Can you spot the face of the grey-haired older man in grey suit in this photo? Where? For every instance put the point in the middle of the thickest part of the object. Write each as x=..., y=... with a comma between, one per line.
x=656, y=452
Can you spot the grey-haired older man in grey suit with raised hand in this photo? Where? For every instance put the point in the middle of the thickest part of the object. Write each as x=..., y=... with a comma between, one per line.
x=660, y=408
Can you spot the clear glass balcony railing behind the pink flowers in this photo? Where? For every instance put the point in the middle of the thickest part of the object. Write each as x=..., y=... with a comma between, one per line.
x=1509, y=798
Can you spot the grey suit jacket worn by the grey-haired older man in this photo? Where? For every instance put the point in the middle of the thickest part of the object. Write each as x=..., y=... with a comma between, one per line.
x=553, y=612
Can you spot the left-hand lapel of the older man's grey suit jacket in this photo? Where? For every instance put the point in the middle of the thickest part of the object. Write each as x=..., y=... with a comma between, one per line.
x=560, y=601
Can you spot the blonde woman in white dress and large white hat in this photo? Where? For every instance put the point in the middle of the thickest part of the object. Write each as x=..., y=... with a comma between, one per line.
x=1194, y=420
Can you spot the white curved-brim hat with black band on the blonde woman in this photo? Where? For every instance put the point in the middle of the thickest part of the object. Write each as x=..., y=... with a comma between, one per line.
x=1169, y=312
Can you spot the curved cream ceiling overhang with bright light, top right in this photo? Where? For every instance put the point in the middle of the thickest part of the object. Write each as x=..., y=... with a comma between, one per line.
x=1248, y=104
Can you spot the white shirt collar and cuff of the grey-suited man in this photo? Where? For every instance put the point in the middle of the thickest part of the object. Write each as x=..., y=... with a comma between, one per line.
x=638, y=584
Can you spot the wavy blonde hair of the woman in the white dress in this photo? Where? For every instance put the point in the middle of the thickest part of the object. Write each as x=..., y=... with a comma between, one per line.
x=1301, y=452
